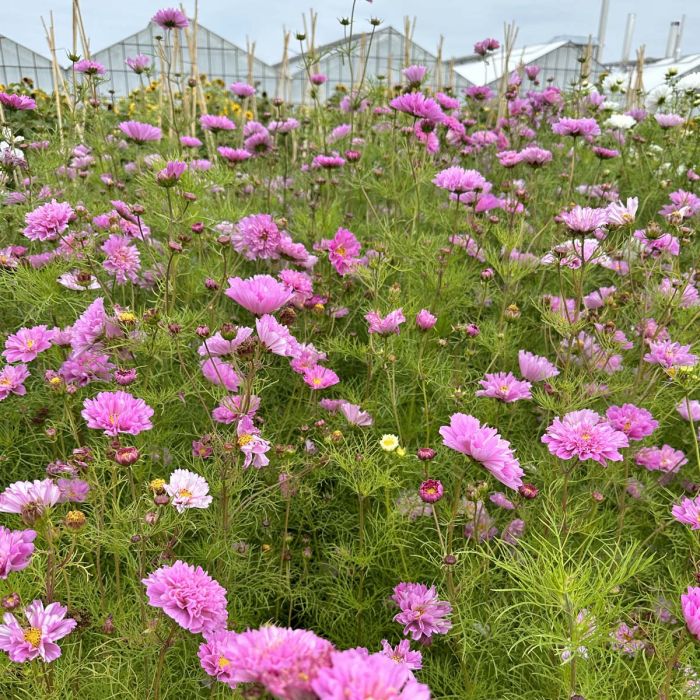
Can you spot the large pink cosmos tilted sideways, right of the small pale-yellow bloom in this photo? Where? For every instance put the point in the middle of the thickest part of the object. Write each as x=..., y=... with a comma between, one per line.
x=483, y=444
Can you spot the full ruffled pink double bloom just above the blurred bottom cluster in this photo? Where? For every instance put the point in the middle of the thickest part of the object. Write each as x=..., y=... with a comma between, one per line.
x=189, y=595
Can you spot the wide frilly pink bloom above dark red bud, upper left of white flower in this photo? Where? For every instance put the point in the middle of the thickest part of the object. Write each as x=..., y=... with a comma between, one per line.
x=117, y=412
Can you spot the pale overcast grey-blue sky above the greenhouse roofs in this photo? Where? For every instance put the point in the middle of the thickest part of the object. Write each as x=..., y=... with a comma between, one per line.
x=461, y=22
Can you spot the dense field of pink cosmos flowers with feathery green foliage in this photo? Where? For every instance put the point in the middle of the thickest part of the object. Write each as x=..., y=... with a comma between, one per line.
x=394, y=396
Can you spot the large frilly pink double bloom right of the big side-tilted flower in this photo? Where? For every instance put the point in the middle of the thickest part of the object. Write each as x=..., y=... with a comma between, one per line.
x=585, y=435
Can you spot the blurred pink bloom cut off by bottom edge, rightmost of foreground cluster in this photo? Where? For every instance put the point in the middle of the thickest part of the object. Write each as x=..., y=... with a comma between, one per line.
x=355, y=674
